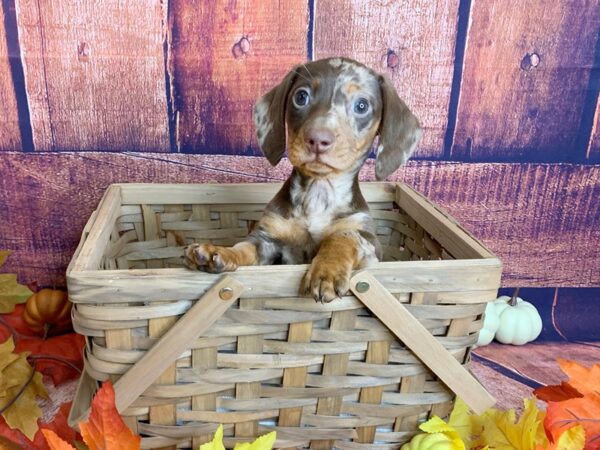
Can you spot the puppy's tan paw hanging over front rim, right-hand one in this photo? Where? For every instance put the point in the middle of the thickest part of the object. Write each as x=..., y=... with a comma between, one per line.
x=326, y=280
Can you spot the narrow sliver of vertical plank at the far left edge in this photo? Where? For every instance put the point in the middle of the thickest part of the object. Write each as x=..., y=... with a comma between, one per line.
x=10, y=136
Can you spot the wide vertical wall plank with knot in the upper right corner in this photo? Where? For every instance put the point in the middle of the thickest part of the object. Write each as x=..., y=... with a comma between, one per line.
x=526, y=70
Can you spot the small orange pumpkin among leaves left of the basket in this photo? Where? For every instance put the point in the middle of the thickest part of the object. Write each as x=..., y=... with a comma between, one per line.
x=48, y=311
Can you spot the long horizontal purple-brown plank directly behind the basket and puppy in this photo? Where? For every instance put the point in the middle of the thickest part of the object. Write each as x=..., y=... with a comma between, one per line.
x=540, y=219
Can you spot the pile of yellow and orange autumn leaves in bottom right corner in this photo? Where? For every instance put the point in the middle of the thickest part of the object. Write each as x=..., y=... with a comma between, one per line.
x=570, y=422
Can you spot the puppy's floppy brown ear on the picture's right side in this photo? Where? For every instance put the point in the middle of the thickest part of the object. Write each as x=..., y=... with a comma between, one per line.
x=399, y=132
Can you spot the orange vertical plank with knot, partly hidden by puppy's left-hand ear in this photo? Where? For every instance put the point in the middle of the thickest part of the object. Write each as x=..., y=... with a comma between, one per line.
x=223, y=56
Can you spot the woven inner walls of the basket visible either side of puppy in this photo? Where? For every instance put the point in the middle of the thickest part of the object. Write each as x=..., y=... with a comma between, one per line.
x=152, y=236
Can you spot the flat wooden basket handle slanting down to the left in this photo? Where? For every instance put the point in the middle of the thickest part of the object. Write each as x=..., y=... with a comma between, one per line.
x=190, y=326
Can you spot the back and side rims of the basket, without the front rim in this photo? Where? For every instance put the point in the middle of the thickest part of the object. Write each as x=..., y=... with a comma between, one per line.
x=443, y=227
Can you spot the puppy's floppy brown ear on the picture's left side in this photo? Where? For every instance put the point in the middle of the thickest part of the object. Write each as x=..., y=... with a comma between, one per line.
x=269, y=119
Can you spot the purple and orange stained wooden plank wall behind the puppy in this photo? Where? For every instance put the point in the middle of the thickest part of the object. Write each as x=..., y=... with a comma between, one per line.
x=107, y=92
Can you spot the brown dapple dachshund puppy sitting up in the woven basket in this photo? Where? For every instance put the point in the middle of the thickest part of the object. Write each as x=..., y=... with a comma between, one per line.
x=330, y=111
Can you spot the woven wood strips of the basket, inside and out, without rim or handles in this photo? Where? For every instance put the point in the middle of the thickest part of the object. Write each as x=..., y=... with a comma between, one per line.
x=322, y=375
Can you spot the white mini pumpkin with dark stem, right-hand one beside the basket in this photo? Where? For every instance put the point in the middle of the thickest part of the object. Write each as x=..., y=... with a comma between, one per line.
x=519, y=323
